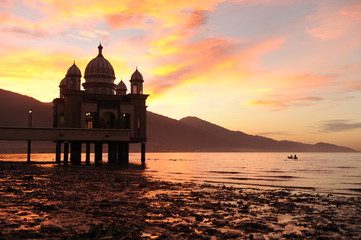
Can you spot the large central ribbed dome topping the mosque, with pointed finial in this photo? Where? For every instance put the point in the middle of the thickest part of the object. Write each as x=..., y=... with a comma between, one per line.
x=99, y=69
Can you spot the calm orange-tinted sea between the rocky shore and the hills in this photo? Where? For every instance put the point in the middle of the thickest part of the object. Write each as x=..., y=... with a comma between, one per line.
x=318, y=172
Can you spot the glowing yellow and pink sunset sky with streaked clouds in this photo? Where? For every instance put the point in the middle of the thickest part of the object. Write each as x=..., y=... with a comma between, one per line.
x=284, y=69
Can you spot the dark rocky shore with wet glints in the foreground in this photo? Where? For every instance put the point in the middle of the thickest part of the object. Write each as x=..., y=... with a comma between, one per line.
x=55, y=202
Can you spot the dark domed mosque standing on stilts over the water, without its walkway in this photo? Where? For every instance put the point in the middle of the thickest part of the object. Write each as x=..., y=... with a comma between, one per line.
x=102, y=104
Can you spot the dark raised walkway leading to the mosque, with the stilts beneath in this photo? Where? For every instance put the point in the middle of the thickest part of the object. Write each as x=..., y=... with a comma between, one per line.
x=117, y=139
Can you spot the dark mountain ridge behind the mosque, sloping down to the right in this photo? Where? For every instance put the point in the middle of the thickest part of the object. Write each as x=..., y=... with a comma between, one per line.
x=164, y=134
